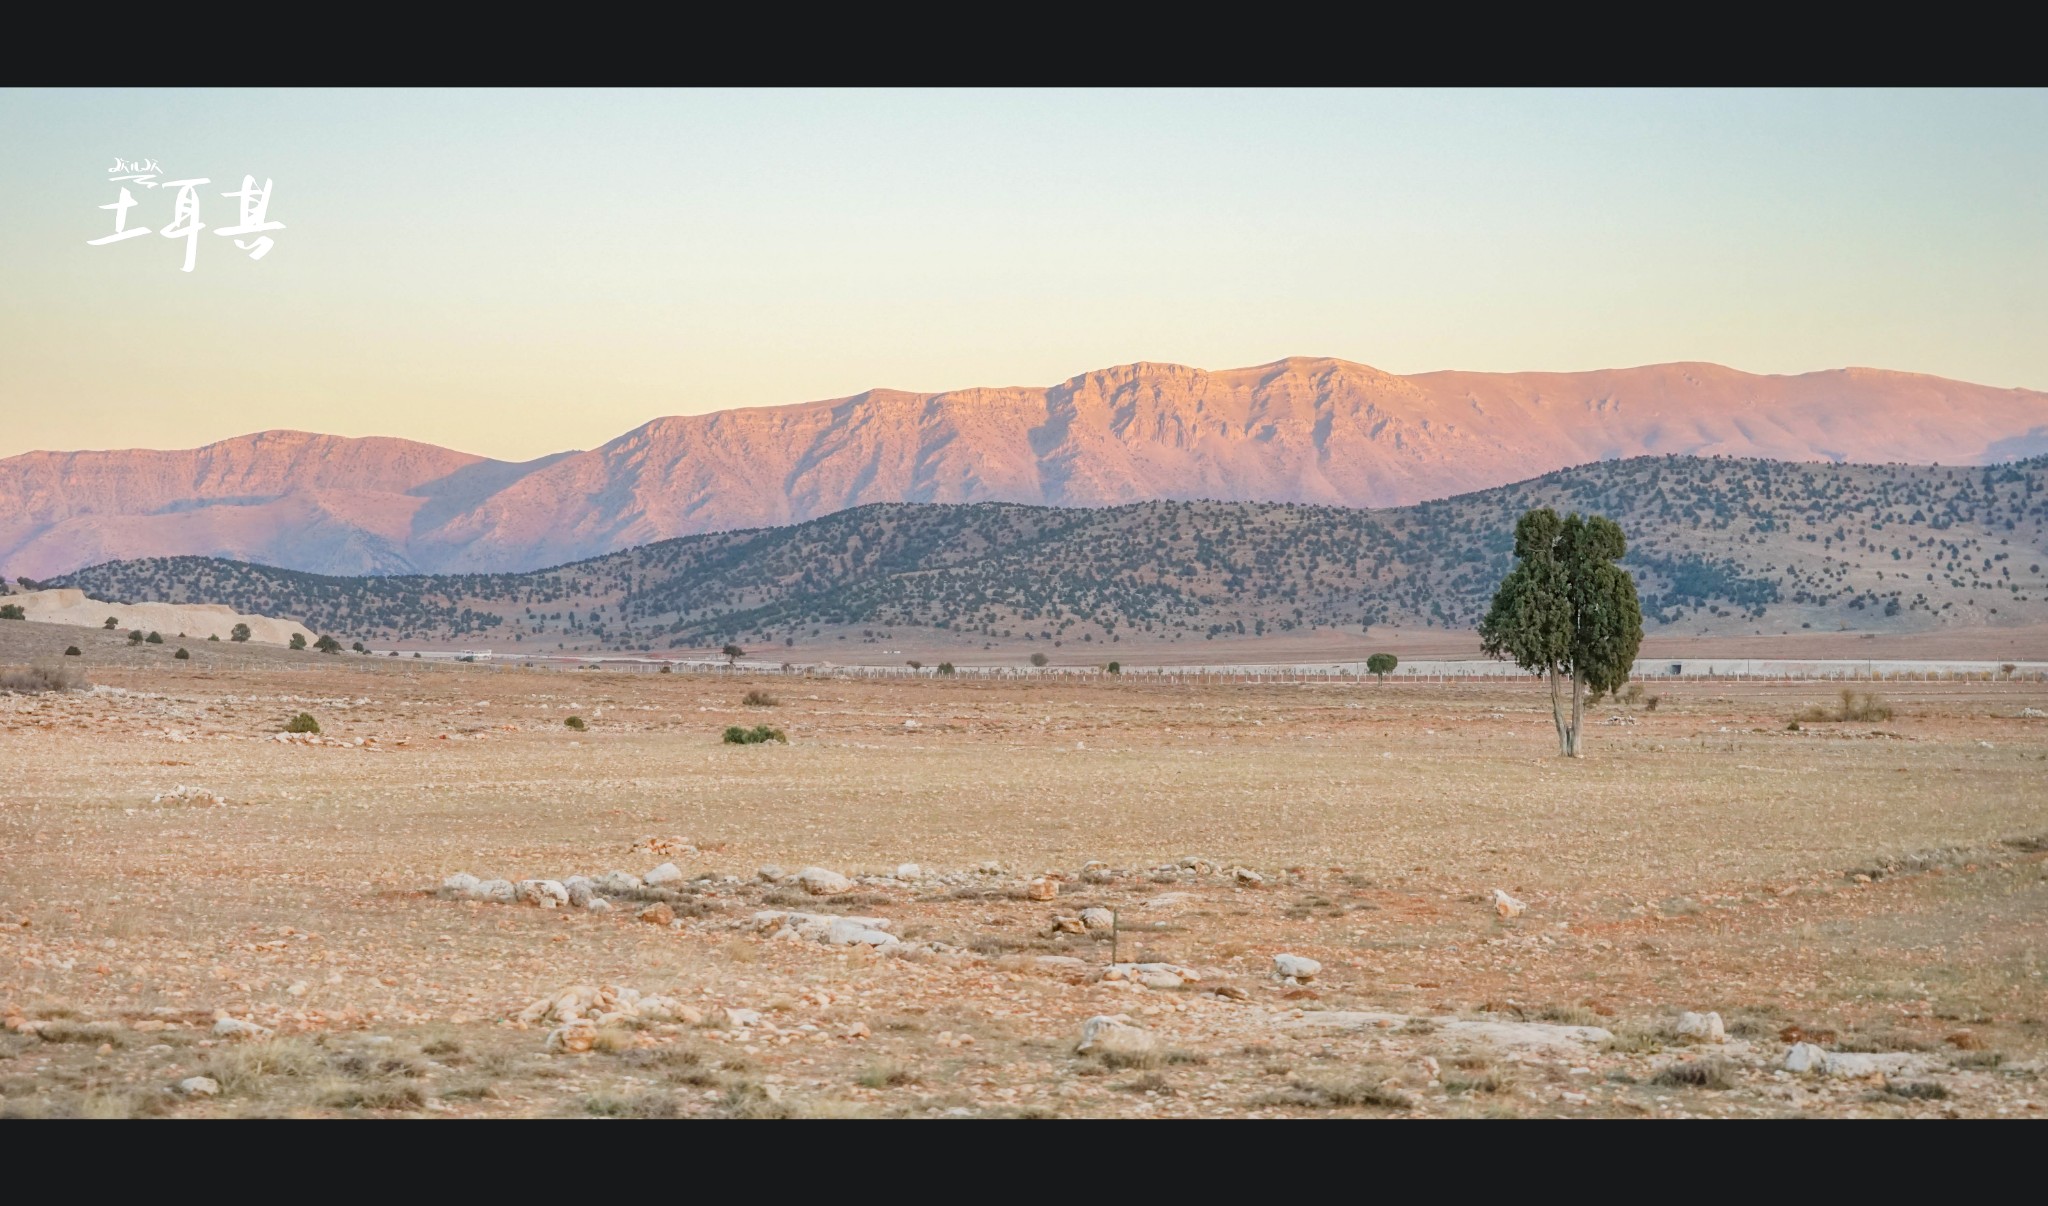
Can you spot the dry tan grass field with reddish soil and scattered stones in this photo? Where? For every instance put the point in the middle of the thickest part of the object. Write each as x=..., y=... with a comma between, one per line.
x=1873, y=888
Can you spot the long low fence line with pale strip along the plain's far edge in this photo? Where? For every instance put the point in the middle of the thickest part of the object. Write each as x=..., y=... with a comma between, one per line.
x=1332, y=673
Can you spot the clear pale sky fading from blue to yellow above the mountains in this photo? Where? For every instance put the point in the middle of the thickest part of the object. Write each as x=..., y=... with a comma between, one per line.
x=529, y=271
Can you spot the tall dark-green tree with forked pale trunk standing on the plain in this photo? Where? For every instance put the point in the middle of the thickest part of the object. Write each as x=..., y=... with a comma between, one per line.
x=1568, y=611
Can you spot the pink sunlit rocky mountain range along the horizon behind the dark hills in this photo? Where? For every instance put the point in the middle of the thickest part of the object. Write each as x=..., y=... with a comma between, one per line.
x=1295, y=431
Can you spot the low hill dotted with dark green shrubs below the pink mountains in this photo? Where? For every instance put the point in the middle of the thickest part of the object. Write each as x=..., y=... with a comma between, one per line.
x=1715, y=546
